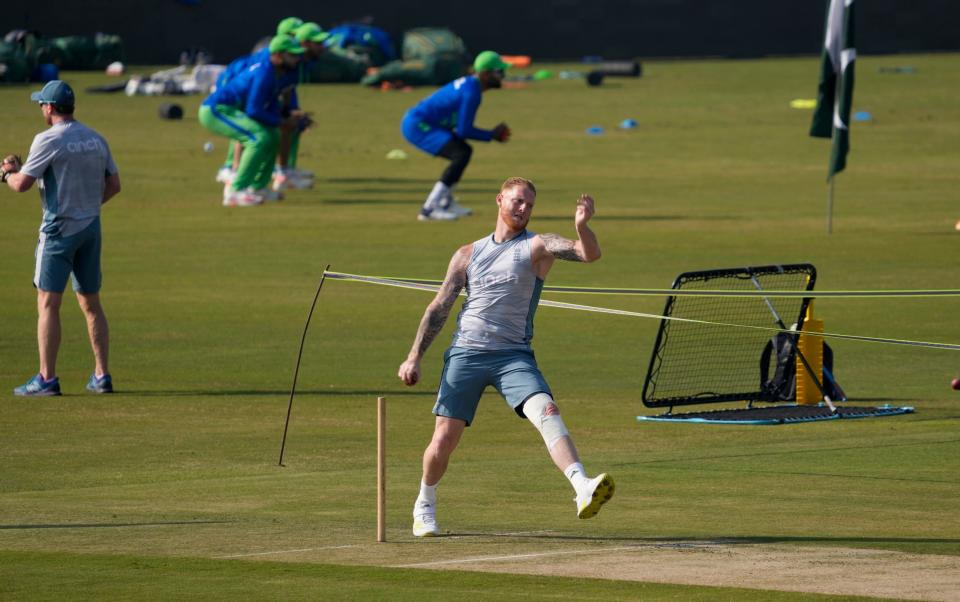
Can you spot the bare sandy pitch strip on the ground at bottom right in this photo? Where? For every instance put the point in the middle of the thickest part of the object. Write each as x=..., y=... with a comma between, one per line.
x=825, y=570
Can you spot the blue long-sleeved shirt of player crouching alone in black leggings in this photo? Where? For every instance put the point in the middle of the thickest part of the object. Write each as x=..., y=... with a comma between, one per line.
x=453, y=107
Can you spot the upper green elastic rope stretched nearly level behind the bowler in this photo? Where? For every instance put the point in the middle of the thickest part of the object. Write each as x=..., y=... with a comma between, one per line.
x=585, y=290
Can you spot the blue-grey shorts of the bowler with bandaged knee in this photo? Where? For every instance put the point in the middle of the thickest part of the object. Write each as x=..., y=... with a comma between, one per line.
x=467, y=372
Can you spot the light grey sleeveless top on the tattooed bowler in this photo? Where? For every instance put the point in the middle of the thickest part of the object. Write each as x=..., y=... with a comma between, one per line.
x=502, y=296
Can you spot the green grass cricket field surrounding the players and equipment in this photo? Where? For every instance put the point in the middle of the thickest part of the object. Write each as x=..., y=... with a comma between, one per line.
x=170, y=488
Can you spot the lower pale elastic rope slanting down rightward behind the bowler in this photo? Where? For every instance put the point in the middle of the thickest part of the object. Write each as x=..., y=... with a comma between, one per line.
x=434, y=286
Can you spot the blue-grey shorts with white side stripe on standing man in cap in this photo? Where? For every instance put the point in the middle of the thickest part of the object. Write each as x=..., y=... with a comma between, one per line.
x=60, y=256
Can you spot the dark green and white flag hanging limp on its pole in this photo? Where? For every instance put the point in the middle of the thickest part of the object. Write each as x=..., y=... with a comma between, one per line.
x=832, y=116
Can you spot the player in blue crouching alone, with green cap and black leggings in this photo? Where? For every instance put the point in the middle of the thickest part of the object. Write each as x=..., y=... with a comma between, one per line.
x=441, y=123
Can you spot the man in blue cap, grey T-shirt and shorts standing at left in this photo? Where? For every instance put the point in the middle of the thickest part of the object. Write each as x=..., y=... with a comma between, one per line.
x=76, y=175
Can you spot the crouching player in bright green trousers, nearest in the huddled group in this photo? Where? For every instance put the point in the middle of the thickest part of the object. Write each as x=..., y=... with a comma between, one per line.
x=247, y=109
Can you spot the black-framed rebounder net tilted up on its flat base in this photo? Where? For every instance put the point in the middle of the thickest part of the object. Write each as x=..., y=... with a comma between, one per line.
x=695, y=363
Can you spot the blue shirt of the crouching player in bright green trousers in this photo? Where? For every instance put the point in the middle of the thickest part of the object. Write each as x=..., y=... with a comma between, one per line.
x=255, y=91
